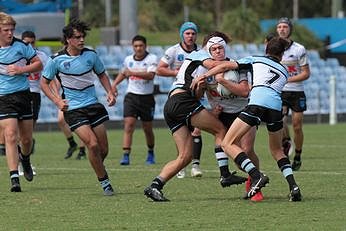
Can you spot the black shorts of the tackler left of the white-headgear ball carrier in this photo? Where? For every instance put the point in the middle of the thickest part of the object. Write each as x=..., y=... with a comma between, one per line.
x=178, y=110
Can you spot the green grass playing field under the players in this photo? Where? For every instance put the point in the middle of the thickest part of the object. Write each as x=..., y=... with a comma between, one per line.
x=65, y=195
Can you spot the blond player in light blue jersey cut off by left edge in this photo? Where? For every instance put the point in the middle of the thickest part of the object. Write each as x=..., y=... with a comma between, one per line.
x=16, y=119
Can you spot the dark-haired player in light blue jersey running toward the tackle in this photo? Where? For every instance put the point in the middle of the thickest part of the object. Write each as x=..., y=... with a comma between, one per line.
x=74, y=67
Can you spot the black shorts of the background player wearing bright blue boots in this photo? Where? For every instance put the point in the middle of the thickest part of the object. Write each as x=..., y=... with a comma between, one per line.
x=139, y=106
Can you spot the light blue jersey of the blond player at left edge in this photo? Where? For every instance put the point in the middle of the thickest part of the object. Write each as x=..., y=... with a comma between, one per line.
x=20, y=54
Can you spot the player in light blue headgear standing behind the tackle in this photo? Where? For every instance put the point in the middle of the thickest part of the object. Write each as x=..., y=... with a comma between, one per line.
x=169, y=66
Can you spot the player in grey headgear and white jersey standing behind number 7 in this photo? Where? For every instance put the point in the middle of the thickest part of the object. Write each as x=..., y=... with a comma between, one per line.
x=293, y=97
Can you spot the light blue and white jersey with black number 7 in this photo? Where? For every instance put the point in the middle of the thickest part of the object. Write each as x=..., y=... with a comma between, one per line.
x=269, y=78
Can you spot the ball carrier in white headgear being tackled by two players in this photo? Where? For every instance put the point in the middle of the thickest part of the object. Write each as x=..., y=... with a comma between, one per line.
x=227, y=108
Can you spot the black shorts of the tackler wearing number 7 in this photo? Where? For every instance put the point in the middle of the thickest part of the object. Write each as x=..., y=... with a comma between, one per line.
x=253, y=115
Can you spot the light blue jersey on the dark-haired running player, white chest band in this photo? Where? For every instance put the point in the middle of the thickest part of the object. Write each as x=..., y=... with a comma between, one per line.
x=76, y=76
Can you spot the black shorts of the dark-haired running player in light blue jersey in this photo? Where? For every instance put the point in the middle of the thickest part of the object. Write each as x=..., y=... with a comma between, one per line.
x=93, y=115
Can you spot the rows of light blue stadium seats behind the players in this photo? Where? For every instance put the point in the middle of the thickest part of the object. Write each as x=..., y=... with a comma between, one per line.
x=317, y=87
